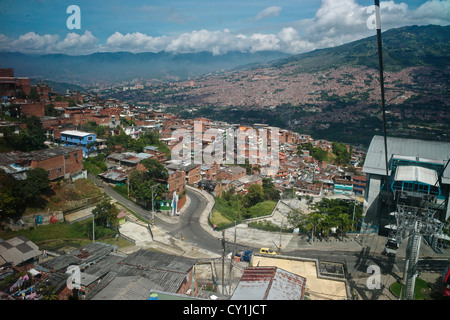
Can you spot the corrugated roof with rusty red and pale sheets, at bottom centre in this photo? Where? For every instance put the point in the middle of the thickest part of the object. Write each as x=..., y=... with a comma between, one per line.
x=269, y=283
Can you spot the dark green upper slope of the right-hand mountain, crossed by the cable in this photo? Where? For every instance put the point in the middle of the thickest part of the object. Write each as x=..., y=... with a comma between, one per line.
x=412, y=46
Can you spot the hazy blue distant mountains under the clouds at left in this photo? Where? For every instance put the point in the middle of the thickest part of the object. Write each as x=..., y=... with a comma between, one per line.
x=125, y=66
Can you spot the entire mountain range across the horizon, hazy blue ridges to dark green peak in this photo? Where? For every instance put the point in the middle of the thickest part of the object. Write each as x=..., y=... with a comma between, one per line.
x=402, y=47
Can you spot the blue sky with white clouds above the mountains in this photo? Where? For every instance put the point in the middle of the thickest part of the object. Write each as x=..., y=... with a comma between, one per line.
x=183, y=26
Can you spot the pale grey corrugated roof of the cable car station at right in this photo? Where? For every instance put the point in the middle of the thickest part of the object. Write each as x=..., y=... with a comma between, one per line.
x=428, y=150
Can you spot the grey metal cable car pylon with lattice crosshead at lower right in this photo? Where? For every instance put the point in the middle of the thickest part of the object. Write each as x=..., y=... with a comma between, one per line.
x=414, y=223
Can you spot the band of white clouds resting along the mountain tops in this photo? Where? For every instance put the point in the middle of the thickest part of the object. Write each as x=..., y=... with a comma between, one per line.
x=335, y=23
